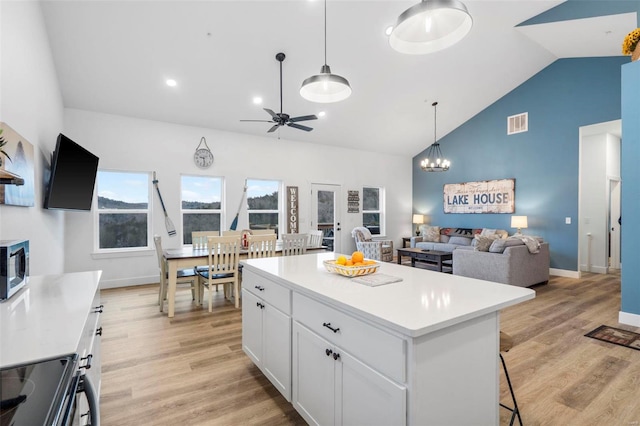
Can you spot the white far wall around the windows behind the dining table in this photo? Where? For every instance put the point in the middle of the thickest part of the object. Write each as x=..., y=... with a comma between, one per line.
x=124, y=143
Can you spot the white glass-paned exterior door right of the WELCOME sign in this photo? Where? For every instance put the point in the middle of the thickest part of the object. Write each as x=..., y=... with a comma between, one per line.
x=325, y=214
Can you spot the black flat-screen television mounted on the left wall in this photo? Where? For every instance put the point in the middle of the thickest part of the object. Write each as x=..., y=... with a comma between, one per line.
x=73, y=177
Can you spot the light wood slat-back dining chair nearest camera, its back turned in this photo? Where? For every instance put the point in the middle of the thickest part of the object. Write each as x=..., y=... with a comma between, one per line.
x=223, y=257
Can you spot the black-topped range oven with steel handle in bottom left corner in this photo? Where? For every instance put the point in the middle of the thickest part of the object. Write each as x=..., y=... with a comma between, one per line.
x=47, y=393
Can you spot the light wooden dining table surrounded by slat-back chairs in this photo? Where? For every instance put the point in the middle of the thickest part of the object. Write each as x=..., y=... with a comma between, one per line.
x=187, y=257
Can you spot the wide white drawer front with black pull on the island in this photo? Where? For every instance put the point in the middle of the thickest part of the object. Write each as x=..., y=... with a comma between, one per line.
x=382, y=351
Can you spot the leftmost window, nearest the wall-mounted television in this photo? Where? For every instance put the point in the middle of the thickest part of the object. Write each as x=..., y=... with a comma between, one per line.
x=123, y=210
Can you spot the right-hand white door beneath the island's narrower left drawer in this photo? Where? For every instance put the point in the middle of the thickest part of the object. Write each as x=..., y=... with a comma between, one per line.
x=276, y=353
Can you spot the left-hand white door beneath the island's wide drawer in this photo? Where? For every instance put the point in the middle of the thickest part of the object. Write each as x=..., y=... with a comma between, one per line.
x=313, y=376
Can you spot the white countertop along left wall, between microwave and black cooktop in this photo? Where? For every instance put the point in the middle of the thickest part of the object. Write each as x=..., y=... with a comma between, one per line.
x=46, y=317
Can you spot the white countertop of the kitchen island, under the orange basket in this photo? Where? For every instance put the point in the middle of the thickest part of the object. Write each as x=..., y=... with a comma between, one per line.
x=425, y=301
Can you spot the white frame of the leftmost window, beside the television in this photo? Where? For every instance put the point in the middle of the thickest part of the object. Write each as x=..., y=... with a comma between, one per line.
x=97, y=212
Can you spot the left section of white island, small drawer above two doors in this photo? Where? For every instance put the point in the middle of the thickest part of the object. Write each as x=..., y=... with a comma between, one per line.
x=266, y=329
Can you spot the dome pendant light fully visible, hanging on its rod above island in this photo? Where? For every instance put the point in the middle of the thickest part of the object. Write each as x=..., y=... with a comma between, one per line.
x=325, y=87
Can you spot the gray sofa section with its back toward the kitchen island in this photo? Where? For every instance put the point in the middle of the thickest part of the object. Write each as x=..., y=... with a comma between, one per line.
x=515, y=266
